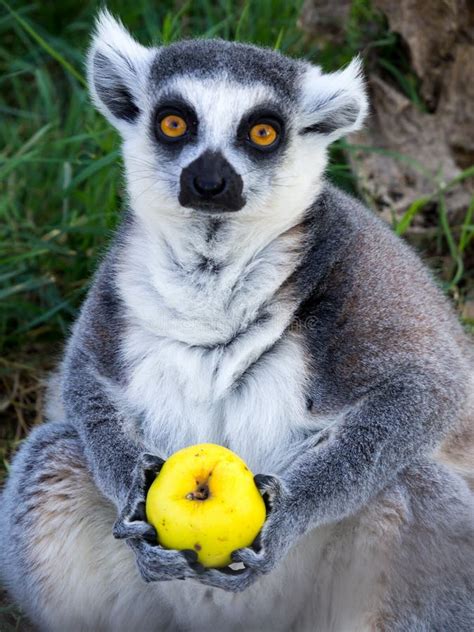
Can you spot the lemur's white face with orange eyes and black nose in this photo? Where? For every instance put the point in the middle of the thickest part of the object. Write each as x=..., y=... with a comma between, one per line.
x=219, y=144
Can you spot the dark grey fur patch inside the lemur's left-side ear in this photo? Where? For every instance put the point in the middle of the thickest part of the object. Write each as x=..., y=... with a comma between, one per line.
x=113, y=92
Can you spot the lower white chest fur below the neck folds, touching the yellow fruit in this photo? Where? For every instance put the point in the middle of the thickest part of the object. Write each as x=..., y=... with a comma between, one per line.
x=175, y=391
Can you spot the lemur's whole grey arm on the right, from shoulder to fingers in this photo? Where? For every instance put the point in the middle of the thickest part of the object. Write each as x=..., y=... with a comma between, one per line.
x=398, y=381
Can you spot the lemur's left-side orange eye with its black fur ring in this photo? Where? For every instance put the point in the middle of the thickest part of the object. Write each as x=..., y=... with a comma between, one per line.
x=174, y=123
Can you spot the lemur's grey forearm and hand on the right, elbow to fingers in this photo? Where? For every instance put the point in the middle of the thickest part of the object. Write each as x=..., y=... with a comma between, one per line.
x=394, y=424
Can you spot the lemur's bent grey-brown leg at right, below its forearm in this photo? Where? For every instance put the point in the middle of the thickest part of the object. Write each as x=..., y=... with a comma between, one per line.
x=405, y=563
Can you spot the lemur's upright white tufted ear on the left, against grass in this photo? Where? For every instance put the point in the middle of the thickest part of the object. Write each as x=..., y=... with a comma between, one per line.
x=117, y=68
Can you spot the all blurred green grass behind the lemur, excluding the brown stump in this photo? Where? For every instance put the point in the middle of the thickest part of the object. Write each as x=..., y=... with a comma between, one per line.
x=60, y=168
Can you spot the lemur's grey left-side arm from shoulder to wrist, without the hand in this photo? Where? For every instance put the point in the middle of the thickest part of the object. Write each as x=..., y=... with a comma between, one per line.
x=91, y=387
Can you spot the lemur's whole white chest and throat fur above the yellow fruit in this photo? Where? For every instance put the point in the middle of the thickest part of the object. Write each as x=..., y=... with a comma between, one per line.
x=209, y=356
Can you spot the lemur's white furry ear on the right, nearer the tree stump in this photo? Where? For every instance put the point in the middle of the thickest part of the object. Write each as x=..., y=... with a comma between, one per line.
x=333, y=104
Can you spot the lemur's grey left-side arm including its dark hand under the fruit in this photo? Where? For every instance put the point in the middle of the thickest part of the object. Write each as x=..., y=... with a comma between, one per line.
x=112, y=445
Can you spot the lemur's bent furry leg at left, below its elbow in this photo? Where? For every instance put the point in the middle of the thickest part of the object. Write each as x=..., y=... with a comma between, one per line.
x=58, y=556
